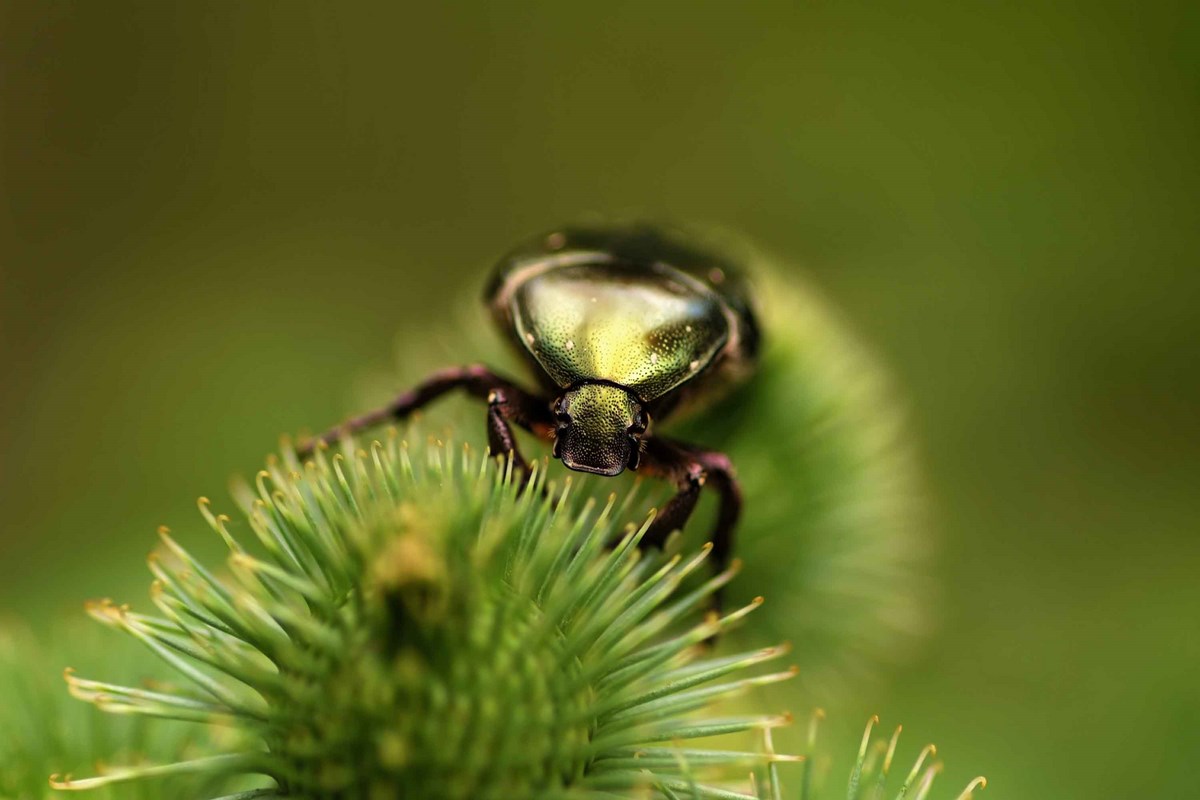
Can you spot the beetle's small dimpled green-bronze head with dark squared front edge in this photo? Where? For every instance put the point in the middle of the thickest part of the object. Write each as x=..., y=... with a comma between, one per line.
x=599, y=429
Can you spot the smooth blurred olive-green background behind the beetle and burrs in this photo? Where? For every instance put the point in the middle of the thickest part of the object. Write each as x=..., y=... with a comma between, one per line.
x=215, y=218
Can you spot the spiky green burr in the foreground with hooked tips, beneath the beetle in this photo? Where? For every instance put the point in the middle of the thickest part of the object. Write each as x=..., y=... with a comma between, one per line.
x=399, y=625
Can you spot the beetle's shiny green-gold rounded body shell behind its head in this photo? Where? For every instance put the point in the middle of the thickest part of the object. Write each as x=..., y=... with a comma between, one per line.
x=626, y=306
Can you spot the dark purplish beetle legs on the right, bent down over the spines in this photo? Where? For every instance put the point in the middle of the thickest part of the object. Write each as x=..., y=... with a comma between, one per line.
x=692, y=470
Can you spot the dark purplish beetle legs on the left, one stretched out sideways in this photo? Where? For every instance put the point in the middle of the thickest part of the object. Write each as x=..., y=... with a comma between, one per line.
x=507, y=404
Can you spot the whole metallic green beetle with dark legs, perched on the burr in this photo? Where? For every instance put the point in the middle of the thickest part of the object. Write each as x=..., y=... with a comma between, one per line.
x=621, y=327
